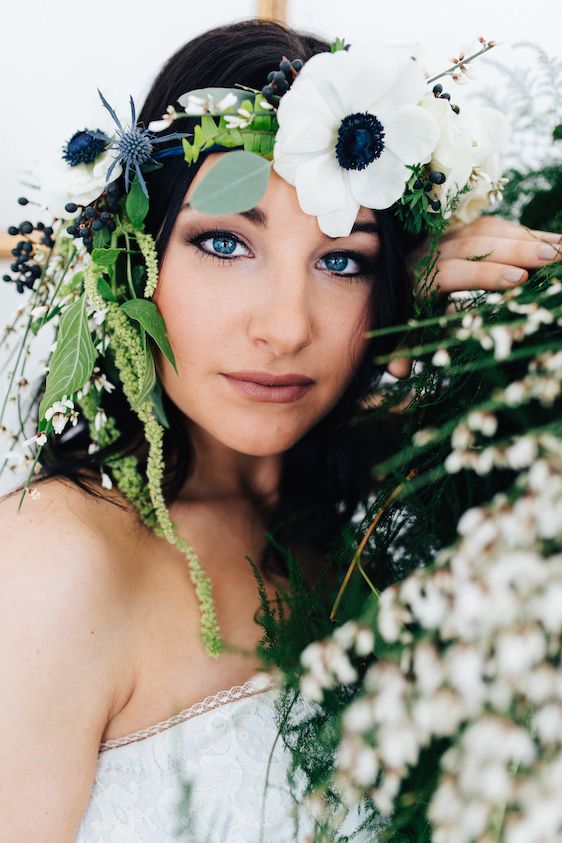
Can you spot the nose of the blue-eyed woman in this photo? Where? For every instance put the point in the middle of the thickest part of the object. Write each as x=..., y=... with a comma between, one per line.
x=281, y=316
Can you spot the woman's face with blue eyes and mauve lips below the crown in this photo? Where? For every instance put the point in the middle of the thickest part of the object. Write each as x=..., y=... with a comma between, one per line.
x=267, y=294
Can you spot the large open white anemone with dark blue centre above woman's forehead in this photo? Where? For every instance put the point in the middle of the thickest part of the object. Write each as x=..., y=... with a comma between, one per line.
x=348, y=127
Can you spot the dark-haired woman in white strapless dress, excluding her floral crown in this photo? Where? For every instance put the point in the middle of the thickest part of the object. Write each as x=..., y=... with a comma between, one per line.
x=100, y=631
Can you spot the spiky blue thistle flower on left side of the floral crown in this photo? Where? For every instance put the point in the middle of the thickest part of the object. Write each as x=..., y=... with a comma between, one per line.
x=134, y=145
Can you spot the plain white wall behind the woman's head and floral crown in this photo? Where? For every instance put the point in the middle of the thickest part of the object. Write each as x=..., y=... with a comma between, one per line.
x=54, y=55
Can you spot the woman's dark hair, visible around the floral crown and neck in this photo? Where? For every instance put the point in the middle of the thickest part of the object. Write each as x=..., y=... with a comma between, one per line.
x=324, y=477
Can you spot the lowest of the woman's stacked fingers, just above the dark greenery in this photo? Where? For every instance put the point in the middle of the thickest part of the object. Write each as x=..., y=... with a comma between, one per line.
x=456, y=275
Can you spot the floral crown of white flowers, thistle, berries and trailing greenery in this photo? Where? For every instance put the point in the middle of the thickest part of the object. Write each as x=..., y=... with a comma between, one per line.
x=364, y=122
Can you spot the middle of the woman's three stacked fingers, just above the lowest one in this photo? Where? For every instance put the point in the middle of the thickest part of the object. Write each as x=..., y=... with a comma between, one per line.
x=527, y=253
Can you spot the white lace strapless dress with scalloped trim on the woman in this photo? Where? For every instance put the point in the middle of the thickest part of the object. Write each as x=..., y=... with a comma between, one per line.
x=200, y=777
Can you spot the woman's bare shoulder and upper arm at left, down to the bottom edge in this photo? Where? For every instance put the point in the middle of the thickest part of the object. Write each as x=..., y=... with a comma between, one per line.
x=63, y=645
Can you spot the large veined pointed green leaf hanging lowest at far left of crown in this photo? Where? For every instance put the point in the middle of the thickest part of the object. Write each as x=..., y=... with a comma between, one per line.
x=73, y=360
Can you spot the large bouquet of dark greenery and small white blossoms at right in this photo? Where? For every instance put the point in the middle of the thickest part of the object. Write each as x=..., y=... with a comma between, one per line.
x=437, y=704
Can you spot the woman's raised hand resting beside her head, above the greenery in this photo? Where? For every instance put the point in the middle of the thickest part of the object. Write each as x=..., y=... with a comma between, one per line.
x=488, y=254
